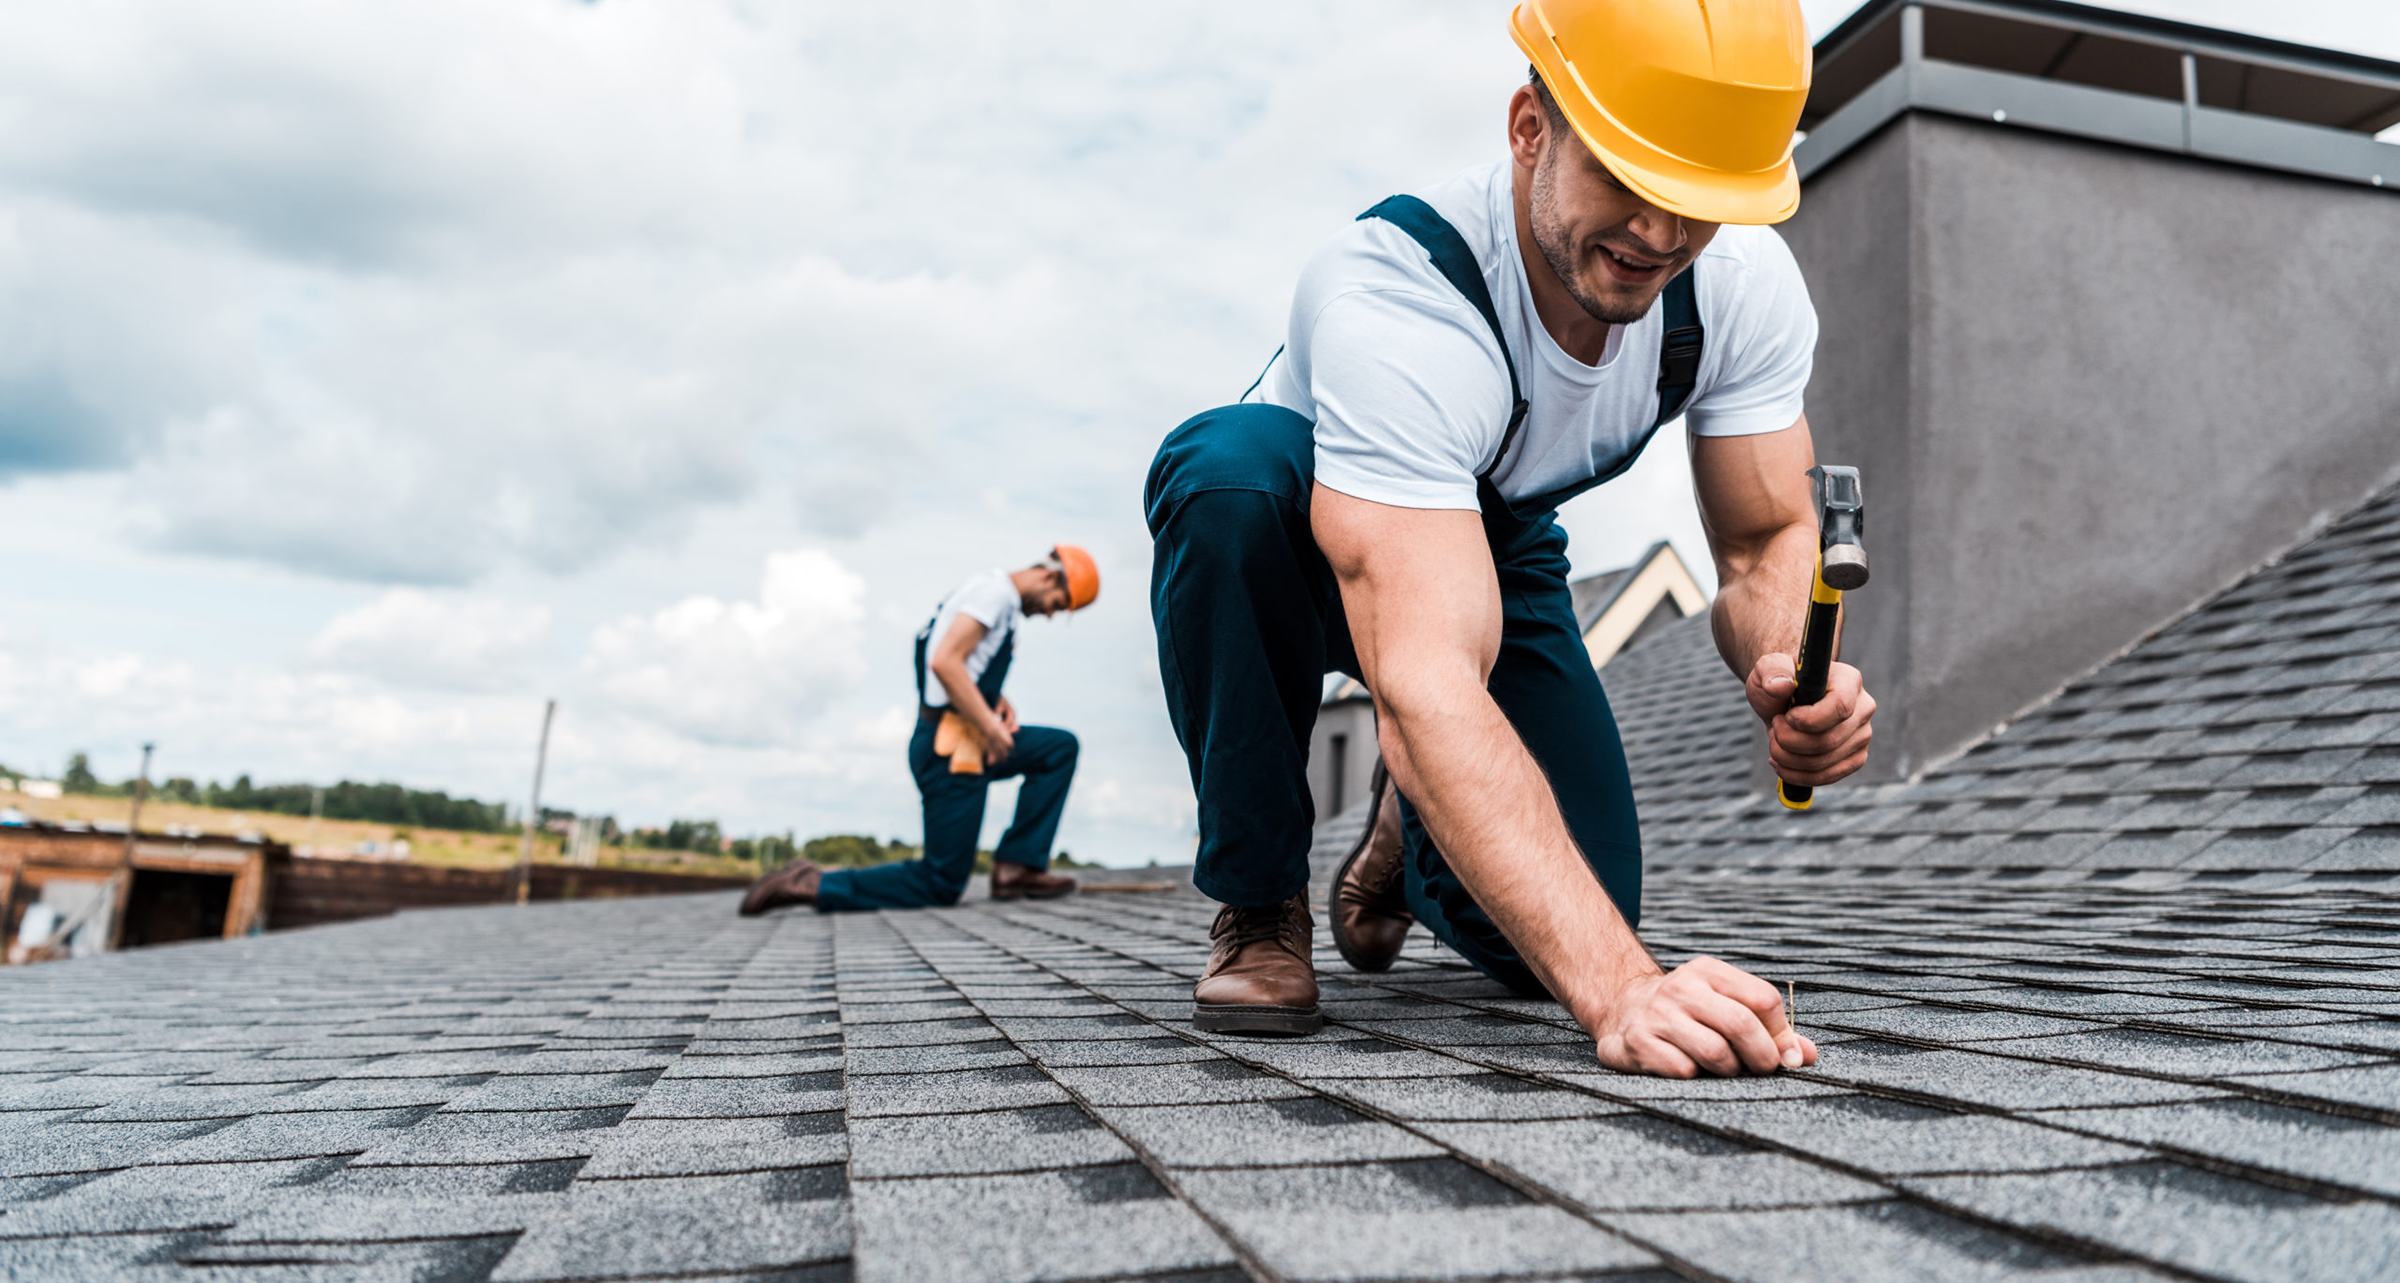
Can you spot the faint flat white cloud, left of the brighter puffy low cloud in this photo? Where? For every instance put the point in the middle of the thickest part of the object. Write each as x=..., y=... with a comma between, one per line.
x=445, y=641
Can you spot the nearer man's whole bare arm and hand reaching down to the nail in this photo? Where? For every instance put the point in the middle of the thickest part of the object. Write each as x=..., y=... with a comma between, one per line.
x=1424, y=613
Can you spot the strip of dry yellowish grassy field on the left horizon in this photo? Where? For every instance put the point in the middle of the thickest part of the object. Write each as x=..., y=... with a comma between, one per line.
x=448, y=848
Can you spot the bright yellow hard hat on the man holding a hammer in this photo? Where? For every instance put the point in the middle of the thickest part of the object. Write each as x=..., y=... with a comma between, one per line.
x=1688, y=102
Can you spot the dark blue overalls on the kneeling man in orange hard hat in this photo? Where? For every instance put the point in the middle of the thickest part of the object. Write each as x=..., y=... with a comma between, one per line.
x=954, y=807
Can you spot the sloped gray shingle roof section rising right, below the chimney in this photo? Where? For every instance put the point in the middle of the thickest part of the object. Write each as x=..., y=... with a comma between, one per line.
x=2257, y=737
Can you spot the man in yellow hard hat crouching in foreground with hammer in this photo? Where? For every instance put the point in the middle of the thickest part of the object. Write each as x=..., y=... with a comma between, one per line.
x=1458, y=366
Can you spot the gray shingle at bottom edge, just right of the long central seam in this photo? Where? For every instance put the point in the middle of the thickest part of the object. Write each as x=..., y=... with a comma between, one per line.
x=1024, y=1229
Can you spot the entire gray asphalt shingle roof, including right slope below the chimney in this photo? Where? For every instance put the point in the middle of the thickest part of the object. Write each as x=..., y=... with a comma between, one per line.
x=2116, y=996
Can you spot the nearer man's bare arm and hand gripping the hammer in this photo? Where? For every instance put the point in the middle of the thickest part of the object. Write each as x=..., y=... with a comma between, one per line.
x=1763, y=529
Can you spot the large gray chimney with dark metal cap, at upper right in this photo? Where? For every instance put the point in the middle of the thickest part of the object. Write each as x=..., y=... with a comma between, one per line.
x=2111, y=313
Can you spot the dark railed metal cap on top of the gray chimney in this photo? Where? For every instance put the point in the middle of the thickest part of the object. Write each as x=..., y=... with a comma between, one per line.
x=2104, y=76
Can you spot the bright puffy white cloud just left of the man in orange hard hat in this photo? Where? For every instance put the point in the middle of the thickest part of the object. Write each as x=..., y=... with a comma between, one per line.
x=740, y=673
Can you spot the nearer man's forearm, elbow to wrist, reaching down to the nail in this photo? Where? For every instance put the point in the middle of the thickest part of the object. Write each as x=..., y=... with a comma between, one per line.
x=1496, y=821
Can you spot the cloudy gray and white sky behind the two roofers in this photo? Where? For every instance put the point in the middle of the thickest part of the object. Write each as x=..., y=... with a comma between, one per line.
x=371, y=373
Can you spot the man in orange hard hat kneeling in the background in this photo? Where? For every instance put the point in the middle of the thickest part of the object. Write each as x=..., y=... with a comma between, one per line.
x=968, y=735
